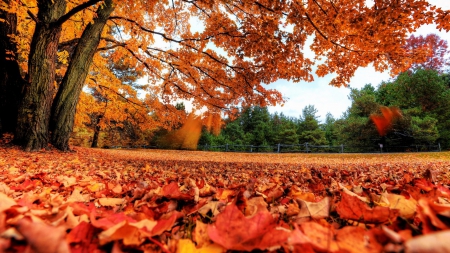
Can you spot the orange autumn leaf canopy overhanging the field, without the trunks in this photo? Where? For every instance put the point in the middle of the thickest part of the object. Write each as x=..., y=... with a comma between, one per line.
x=220, y=53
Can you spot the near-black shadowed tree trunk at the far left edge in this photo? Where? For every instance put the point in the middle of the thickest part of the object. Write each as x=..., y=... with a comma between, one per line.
x=11, y=82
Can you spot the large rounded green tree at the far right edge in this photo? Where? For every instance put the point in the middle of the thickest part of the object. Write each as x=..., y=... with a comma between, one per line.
x=424, y=98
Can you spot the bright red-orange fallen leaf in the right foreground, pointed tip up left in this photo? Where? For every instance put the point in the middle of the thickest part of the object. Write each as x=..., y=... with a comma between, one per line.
x=350, y=207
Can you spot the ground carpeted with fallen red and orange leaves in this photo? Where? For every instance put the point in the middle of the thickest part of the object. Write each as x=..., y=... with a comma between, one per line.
x=94, y=200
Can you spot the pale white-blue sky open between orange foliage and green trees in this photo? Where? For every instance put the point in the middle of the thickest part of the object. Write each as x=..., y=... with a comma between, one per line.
x=326, y=98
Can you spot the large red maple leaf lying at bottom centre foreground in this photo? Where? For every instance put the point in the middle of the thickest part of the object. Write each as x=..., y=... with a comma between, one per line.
x=234, y=231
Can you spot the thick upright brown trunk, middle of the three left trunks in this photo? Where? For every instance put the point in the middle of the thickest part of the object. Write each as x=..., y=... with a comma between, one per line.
x=34, y=111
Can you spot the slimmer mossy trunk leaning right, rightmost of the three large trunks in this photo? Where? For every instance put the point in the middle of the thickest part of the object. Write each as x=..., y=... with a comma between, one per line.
x=64, y=106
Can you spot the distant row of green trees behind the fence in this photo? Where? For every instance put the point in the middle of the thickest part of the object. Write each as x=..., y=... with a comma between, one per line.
x=423, y=96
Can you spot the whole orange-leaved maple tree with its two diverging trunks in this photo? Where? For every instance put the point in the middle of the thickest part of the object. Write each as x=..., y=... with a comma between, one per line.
x=257, y=50
